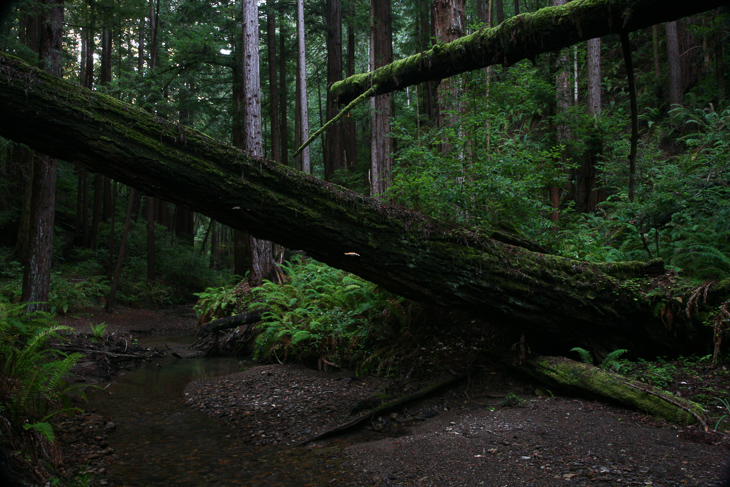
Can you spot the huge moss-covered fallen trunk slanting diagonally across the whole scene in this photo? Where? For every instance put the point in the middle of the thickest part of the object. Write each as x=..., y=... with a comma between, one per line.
x=556, y=302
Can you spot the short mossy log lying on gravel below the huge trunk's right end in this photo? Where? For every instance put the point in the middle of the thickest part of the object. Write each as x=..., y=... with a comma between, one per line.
x=566, y=373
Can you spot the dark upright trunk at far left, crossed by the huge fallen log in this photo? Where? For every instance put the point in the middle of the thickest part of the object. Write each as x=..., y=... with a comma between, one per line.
x=37, y=271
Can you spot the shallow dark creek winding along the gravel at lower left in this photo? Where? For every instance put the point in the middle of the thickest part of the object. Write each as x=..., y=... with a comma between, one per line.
x=160, y=441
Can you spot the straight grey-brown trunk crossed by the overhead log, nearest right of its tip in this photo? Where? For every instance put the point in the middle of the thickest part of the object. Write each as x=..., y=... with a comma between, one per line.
x=381, y=53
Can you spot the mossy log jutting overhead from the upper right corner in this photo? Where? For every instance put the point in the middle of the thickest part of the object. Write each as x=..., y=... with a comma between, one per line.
x=521, y=37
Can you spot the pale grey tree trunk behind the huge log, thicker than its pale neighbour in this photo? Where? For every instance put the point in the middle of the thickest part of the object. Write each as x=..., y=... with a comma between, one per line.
x=261, y=251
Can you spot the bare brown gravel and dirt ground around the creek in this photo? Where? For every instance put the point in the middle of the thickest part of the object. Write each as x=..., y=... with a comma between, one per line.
x=491, y=429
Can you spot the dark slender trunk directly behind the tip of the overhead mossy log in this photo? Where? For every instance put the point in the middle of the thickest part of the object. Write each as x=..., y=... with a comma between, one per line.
x=333, y=153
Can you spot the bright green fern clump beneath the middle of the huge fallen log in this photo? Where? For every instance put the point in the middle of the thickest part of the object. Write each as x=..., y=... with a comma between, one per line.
x=322, y=314
